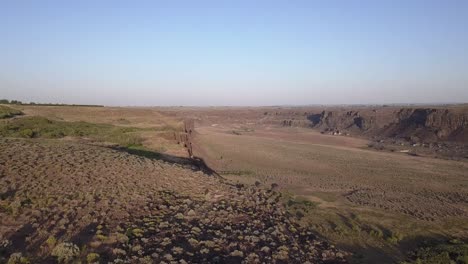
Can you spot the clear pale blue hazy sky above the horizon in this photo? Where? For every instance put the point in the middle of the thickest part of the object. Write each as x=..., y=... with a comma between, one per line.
x=234, y=52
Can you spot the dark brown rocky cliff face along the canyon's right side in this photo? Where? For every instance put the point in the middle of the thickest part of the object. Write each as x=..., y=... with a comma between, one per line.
x=415, y=124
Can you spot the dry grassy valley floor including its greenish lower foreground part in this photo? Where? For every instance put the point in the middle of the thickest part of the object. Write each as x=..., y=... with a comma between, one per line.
x=366, y=199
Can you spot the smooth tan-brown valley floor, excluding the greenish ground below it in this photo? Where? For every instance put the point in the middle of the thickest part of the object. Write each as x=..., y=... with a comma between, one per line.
x=308, y=162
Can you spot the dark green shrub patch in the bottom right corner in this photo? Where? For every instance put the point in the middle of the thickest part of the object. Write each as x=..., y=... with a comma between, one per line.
x=453, y=251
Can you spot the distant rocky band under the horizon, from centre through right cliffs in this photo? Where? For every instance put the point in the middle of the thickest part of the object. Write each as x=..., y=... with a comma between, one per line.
x=418, y=124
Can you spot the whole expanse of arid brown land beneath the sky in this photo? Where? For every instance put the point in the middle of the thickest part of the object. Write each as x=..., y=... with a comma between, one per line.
x=138, y=196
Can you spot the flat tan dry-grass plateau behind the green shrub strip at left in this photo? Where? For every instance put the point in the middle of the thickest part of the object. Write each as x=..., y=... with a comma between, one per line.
x=152, y=128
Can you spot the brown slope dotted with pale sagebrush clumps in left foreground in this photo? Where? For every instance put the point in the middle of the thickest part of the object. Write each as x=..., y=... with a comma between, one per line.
x=63, y=201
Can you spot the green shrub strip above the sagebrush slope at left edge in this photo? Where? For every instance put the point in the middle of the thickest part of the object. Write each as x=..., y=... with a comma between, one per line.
x=40, y=127
